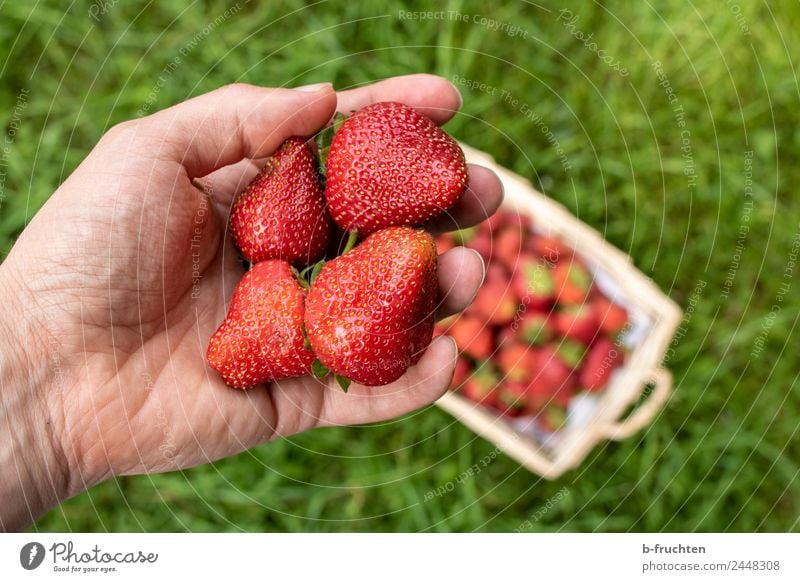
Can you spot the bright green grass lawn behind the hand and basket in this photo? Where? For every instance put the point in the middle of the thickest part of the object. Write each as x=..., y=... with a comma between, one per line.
x=724, y=455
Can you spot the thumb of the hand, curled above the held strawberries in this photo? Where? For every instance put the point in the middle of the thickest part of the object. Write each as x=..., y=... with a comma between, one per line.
x=235, y=122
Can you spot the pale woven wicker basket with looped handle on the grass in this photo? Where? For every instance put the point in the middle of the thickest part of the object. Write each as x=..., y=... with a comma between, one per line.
x=642, y=373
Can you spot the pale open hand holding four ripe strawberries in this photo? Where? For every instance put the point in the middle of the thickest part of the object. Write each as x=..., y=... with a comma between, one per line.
x=122, y=277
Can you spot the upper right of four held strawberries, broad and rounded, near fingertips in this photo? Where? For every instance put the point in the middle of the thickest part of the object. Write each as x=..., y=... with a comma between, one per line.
x=390, y=166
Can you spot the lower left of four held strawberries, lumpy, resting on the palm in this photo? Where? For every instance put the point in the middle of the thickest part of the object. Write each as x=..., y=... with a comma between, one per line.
x=261, y=338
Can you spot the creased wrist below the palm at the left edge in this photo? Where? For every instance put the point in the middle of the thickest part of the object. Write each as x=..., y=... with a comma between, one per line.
x=35, y=474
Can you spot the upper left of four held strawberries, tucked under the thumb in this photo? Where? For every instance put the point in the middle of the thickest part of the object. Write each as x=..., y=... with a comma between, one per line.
x=281, y=214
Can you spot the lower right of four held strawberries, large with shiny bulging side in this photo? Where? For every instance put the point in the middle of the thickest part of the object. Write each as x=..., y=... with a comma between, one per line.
x=369, y=312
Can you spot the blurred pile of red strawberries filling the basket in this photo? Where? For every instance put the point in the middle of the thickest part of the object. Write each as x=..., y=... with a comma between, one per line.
x=539, y=331
